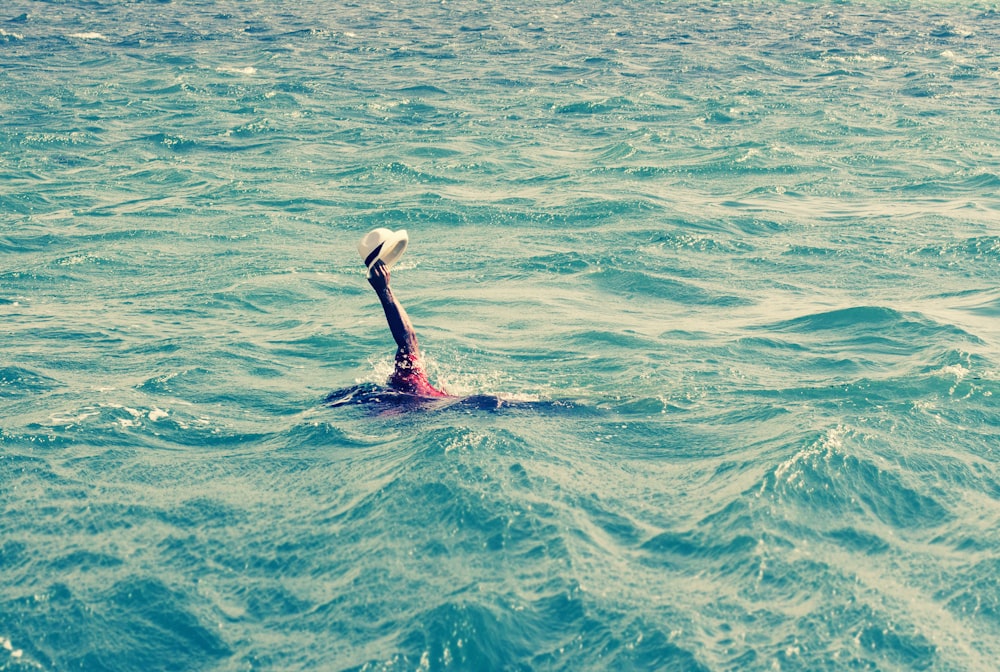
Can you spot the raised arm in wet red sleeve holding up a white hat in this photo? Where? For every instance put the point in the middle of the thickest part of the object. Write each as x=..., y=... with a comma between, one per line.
x=380, y=249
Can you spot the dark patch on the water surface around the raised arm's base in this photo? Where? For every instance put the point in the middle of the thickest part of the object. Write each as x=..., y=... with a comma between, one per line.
x=379, y=400
